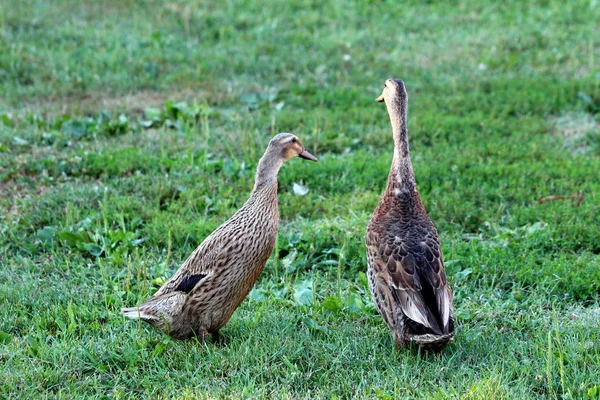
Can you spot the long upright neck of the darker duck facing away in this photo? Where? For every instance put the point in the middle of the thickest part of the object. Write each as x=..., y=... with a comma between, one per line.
x=401, y=173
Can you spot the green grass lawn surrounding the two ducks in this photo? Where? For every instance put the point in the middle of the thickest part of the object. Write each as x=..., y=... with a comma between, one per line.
x=108, y=181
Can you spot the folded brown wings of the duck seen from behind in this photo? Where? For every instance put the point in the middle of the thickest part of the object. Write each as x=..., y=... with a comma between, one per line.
x=412, y=274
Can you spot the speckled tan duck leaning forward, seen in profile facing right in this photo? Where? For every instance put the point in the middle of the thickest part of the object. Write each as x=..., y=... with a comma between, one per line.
x=200, y=298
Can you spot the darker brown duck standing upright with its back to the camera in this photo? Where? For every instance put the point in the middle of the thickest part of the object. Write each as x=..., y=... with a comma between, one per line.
x=405, y=263
